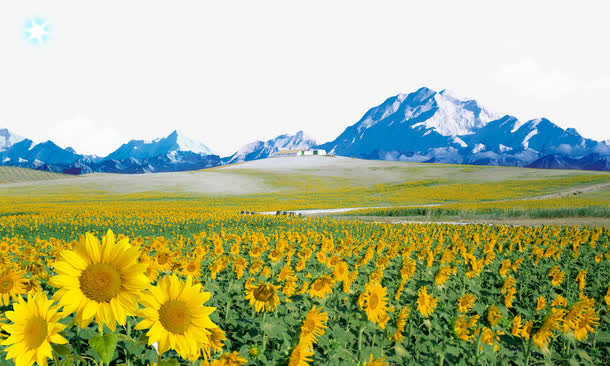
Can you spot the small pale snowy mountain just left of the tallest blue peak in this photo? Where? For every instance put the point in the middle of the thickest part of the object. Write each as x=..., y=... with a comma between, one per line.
x=260, y=150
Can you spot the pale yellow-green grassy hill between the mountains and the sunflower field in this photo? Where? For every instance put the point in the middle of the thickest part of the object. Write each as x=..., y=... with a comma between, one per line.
x=319, y=182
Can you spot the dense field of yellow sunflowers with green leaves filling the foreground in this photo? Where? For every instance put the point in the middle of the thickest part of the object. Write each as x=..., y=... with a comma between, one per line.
x=176, y=284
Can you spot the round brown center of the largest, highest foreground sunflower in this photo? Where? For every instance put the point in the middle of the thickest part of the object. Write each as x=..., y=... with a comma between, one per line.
x=100, y=282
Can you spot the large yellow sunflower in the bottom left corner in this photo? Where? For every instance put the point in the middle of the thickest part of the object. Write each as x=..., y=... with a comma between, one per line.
x=35, y=326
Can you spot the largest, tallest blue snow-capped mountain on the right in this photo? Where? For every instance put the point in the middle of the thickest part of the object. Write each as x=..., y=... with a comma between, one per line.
x=429, y=126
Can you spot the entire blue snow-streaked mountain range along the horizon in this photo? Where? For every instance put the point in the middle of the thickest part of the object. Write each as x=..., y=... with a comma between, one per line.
x=423, y=126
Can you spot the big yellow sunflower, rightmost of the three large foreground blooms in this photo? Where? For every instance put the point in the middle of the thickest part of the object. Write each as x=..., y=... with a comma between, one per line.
x=175, y=316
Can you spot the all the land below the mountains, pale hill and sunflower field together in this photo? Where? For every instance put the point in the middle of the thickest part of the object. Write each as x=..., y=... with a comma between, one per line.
x=308, y=290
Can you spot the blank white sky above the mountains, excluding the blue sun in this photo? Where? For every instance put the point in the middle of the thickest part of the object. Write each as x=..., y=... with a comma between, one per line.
x=231, y=72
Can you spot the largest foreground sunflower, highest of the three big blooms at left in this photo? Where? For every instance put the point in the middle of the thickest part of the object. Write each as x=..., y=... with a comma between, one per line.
x=100, y=281
